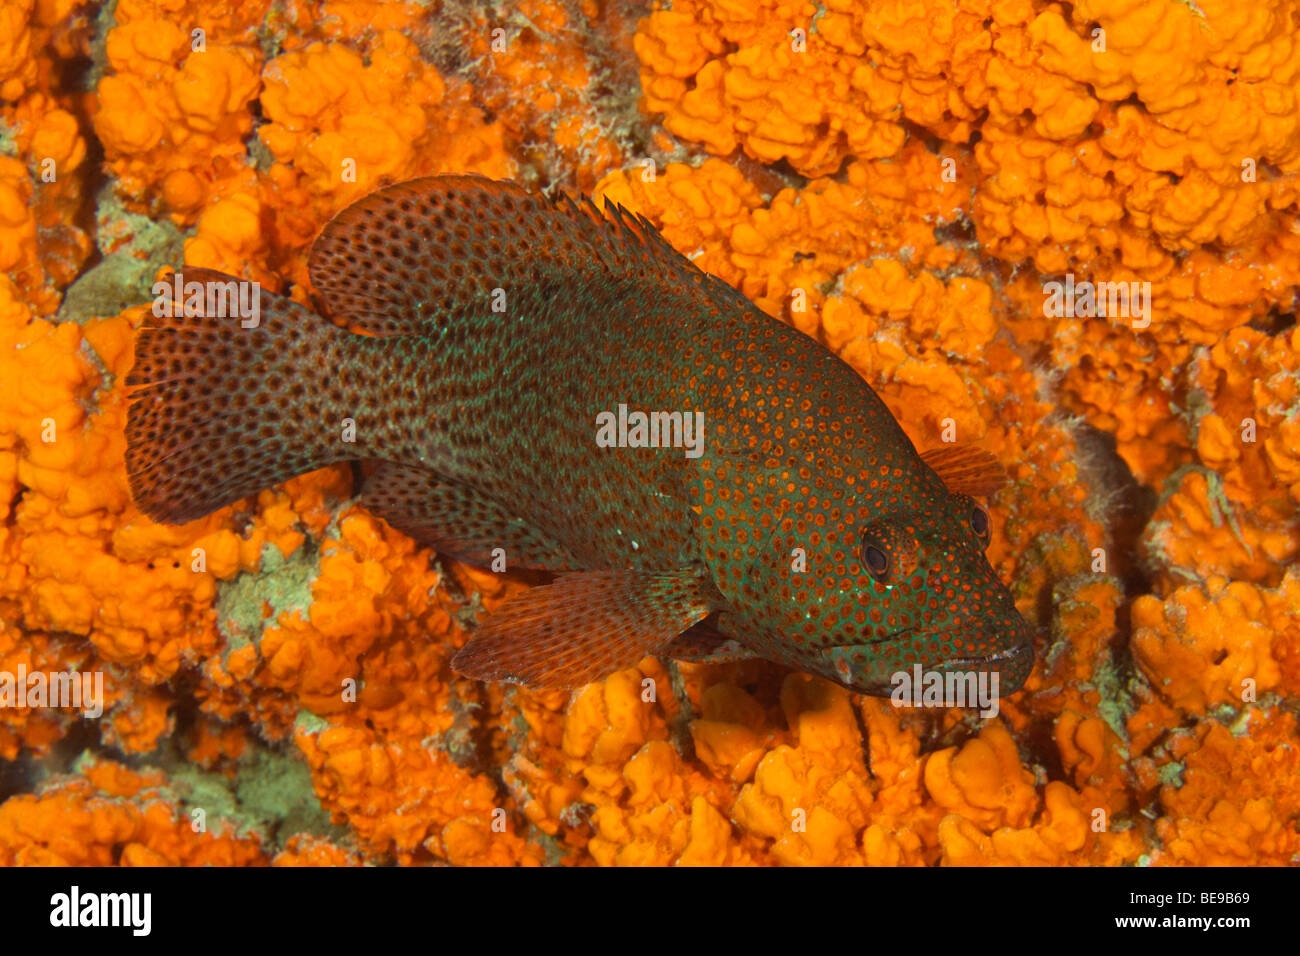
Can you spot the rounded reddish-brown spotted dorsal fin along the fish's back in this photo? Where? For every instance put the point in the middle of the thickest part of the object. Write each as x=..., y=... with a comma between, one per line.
x=423, y=254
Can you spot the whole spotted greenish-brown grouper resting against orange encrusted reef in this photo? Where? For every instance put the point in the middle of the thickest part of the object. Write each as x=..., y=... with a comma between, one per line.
x=540, y=380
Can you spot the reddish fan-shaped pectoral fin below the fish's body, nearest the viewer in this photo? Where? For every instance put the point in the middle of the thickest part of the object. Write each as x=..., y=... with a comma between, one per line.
x=586, y=626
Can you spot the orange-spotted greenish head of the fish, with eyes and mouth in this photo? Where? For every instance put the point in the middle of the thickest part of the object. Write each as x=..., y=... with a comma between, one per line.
x=874, y=592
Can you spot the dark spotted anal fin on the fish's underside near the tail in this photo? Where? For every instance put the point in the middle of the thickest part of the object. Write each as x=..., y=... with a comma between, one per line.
x=458, y=521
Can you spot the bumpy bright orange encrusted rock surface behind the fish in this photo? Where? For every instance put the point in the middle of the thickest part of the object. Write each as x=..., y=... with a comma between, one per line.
x=942, y=193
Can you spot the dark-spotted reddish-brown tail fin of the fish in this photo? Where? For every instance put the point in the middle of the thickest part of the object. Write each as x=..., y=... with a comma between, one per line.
x=232, y=400
